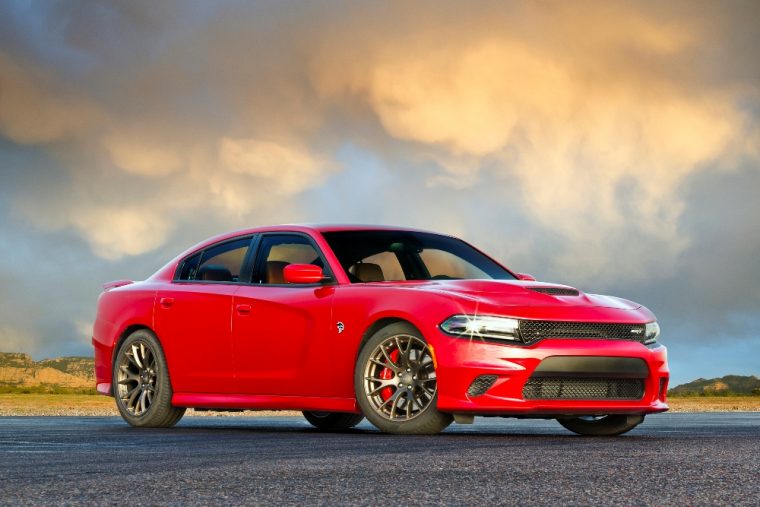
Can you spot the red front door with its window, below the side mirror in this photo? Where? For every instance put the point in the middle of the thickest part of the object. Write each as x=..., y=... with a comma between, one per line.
x=282, y=332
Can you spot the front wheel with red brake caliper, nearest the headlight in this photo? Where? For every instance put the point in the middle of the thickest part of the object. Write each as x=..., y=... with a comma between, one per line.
x=396, y=384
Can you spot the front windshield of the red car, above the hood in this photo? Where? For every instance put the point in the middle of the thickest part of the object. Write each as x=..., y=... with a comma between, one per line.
x=377, y=256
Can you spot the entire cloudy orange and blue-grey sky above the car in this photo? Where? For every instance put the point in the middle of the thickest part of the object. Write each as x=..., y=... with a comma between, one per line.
x=613, y=146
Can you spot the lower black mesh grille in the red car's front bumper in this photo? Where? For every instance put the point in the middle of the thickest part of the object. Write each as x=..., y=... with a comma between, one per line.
x=574, y=388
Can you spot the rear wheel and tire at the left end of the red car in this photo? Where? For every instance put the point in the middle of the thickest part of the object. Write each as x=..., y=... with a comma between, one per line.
x=142, y=387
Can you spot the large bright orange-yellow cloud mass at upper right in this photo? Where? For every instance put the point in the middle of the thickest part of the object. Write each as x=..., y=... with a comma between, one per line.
x=582, y=116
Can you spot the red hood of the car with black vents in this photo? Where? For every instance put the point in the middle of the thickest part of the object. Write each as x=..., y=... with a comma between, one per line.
x=519, y=293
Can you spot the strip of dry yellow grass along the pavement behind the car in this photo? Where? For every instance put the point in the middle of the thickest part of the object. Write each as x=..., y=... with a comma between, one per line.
x=96, y=405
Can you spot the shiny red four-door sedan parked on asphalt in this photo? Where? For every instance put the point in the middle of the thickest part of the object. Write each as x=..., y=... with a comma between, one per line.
x=410, y=329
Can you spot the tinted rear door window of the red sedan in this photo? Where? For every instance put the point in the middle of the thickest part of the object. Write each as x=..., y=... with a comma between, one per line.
x=218, y=263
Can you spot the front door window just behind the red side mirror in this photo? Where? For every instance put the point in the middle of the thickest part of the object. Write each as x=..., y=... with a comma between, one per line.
x=277, y=251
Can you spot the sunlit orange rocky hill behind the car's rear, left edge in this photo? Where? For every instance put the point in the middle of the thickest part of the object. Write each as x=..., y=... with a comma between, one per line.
x=20, y=371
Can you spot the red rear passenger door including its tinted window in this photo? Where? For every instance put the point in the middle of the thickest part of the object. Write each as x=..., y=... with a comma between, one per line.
x=193, y=318
